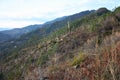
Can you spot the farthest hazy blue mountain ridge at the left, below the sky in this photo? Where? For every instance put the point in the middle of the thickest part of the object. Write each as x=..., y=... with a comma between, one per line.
x=16, y=33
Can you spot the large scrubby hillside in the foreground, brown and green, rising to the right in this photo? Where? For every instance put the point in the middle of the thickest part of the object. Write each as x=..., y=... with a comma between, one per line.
x=87, y=48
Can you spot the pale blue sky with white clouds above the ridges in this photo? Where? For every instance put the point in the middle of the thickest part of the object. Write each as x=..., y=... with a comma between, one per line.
x=21, y=13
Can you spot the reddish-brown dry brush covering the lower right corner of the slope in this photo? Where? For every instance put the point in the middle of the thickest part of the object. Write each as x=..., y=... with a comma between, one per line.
x=103, y=64
